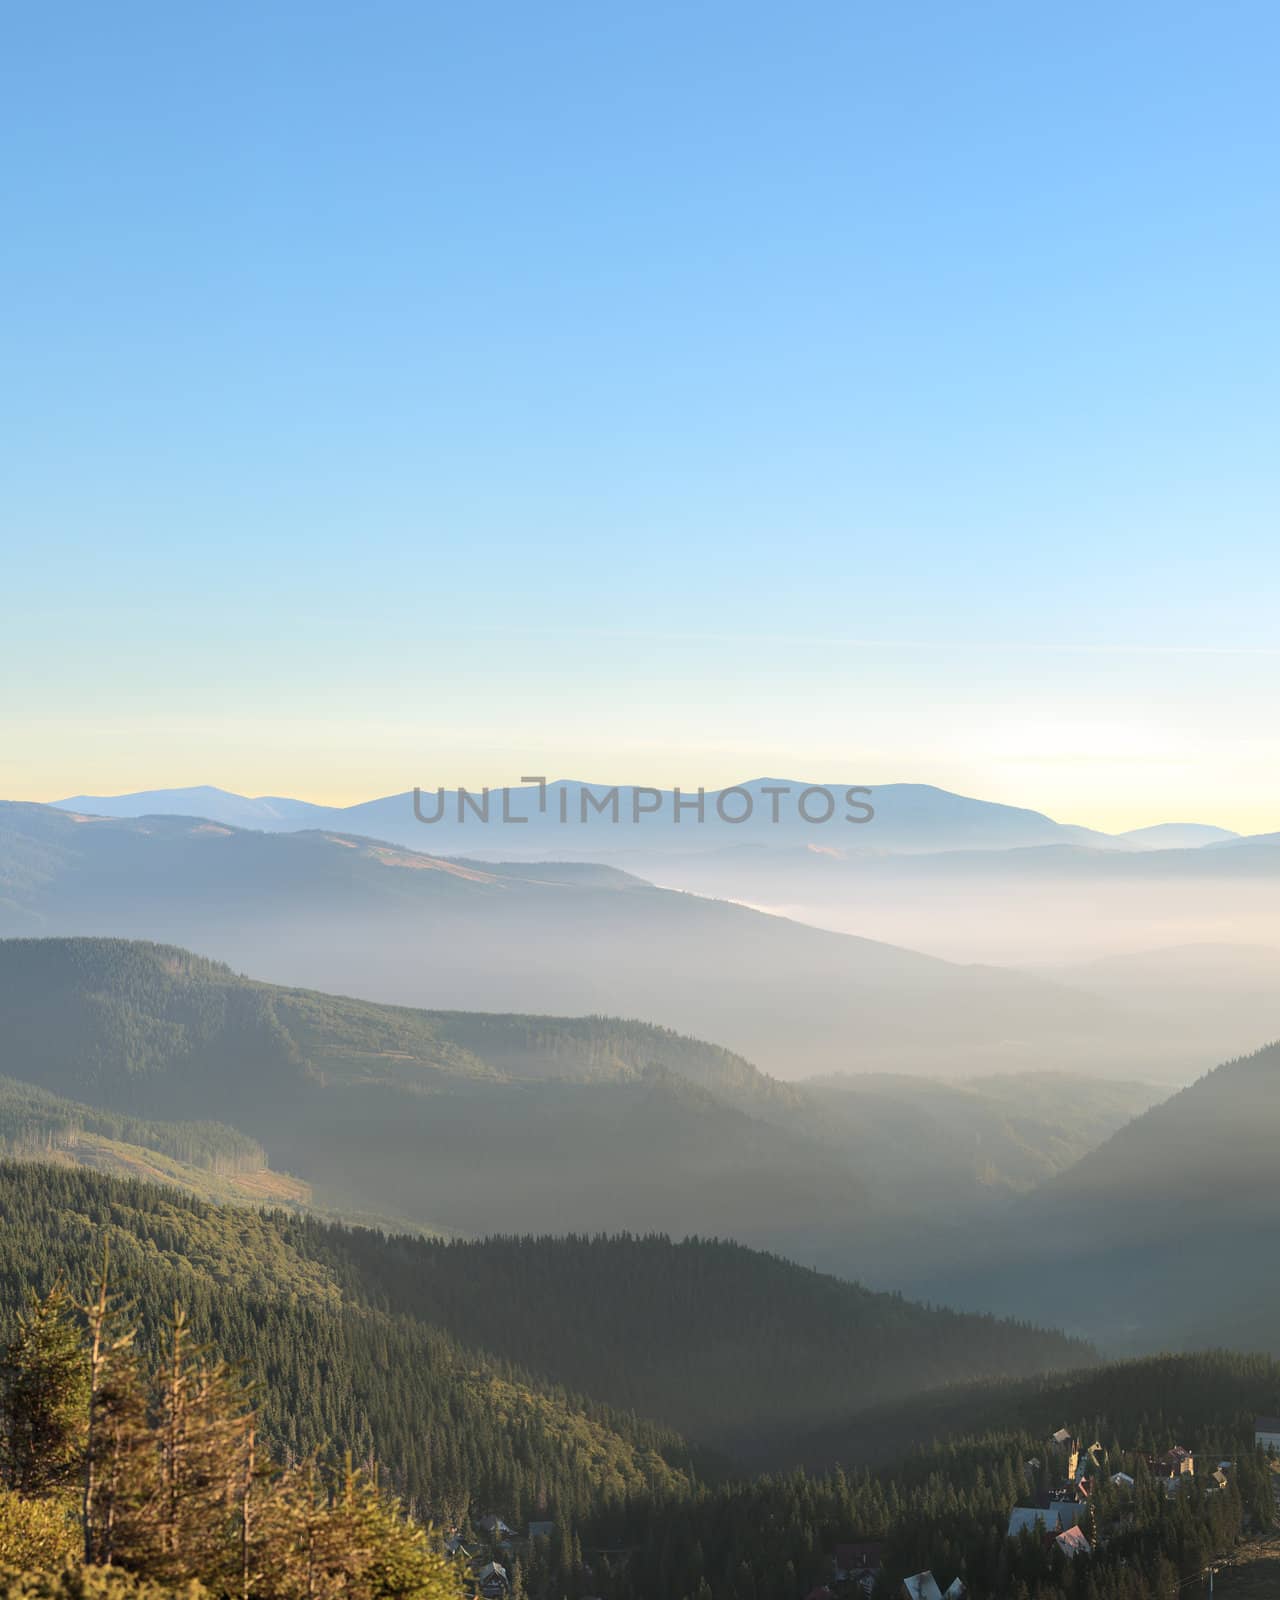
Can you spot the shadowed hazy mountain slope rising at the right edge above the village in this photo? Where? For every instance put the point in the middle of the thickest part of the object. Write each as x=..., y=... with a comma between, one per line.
x=1159, y=1239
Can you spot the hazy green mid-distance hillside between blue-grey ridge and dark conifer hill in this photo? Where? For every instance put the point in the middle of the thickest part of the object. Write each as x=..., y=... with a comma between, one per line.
x=476, y=1124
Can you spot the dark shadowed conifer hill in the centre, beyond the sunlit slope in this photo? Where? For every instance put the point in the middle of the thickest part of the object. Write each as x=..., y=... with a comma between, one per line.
x=729, y=1345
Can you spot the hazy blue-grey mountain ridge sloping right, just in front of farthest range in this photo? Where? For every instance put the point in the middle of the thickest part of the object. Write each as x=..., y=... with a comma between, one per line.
x=353, y=914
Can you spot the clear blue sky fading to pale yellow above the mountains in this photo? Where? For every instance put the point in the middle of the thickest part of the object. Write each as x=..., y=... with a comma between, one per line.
x=662, y=393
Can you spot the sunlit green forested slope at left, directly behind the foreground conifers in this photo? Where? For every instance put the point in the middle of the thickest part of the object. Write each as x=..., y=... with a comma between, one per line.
x=452, y=1430
